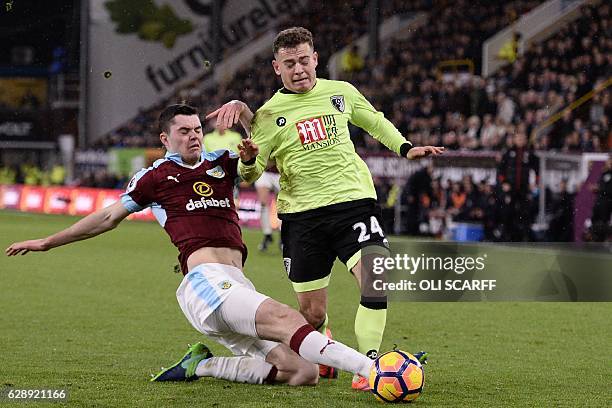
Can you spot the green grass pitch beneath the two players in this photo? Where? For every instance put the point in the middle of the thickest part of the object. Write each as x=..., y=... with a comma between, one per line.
x=97, y=317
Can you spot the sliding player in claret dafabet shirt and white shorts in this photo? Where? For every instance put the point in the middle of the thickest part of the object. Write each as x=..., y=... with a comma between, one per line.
x=190, y=193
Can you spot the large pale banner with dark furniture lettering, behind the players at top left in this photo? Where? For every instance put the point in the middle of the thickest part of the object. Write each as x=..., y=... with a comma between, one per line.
x=149, y=63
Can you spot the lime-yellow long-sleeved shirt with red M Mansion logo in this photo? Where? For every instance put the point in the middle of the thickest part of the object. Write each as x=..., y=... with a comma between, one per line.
x=307, y=135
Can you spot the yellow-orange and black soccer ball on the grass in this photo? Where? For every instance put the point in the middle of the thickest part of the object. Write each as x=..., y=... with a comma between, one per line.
x=396, y=376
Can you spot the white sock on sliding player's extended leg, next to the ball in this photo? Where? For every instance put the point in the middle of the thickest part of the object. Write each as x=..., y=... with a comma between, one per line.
x=319, y=349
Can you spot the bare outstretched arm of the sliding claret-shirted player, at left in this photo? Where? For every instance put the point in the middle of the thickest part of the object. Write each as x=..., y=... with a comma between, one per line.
x=94, y=224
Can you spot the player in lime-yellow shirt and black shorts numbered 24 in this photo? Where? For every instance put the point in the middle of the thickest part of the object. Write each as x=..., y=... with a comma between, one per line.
x=327, y=201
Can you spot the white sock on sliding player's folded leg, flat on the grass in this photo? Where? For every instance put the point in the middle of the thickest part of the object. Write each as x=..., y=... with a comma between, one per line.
x=237, y=369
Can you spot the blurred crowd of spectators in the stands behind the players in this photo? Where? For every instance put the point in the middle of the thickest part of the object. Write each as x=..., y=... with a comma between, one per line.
x=460, y=112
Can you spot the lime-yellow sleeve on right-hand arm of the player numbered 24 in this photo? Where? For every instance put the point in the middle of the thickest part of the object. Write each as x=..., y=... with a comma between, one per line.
x=369, y=119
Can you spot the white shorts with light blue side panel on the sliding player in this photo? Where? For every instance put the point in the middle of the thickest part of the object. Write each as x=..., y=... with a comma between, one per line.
x=220, y=302
